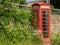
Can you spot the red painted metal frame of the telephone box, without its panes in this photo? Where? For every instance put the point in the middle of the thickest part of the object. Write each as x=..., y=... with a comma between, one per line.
x=40, y=10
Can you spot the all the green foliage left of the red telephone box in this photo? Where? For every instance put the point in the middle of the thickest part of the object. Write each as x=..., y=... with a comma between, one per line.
x=15, y=23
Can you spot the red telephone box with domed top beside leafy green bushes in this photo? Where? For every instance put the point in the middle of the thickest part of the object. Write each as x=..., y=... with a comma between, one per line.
x=41, y=19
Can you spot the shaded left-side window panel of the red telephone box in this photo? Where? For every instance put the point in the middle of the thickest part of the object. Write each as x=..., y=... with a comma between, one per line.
x=35, y=14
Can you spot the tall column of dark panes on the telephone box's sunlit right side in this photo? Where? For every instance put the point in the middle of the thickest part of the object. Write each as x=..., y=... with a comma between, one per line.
x=45, y=23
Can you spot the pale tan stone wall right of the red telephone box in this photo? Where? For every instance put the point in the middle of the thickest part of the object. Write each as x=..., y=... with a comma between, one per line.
x=55, y=23
